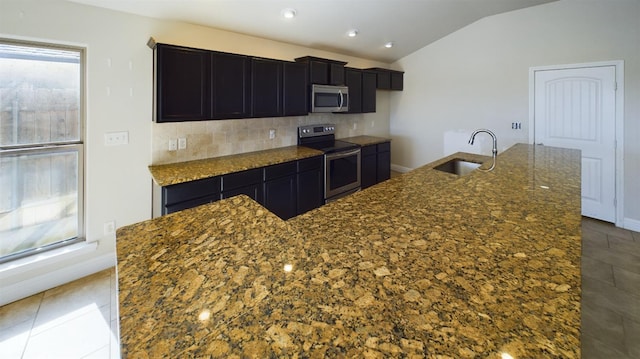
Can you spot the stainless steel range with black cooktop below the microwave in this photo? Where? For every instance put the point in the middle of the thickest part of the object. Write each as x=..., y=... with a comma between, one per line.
x=341, y=159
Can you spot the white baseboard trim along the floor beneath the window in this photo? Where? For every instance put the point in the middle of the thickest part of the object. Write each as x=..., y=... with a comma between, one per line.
x=25, y=288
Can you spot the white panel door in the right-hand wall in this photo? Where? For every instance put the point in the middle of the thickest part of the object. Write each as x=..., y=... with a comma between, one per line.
x=575, y=108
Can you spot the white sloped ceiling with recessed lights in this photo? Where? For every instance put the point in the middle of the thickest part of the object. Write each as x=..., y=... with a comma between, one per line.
x=323, y=24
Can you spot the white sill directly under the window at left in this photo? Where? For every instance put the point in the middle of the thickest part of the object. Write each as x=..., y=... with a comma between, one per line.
x=45, y=259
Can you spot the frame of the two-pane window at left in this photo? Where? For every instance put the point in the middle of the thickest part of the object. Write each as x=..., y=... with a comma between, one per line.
x=61, y=146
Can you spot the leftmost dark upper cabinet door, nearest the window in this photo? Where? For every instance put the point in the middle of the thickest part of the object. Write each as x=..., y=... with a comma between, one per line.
x=182, y=84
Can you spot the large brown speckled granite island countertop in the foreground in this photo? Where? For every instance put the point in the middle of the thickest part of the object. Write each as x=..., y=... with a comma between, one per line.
x=426, y=264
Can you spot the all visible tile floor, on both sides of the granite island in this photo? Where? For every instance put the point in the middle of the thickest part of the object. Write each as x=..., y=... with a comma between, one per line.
x=78, y=320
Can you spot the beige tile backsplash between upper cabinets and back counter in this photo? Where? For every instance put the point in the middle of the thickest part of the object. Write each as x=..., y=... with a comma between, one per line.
x=225, y=137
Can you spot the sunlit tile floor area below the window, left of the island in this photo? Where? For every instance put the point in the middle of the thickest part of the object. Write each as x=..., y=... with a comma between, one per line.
x=75, y=320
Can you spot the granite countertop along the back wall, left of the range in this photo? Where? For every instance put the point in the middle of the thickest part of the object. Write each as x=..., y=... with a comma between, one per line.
x=174, y=173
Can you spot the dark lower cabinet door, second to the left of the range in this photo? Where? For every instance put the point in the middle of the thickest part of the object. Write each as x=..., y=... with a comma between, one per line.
x=280, y=196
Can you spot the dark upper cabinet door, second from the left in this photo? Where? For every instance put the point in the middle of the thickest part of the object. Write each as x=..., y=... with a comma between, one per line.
x=231, y=86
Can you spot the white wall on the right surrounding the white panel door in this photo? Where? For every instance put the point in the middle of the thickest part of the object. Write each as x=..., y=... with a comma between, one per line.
x=478, y=77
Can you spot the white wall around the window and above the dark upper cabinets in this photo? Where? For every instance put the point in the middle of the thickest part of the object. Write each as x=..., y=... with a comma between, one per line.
x=119, y=98
